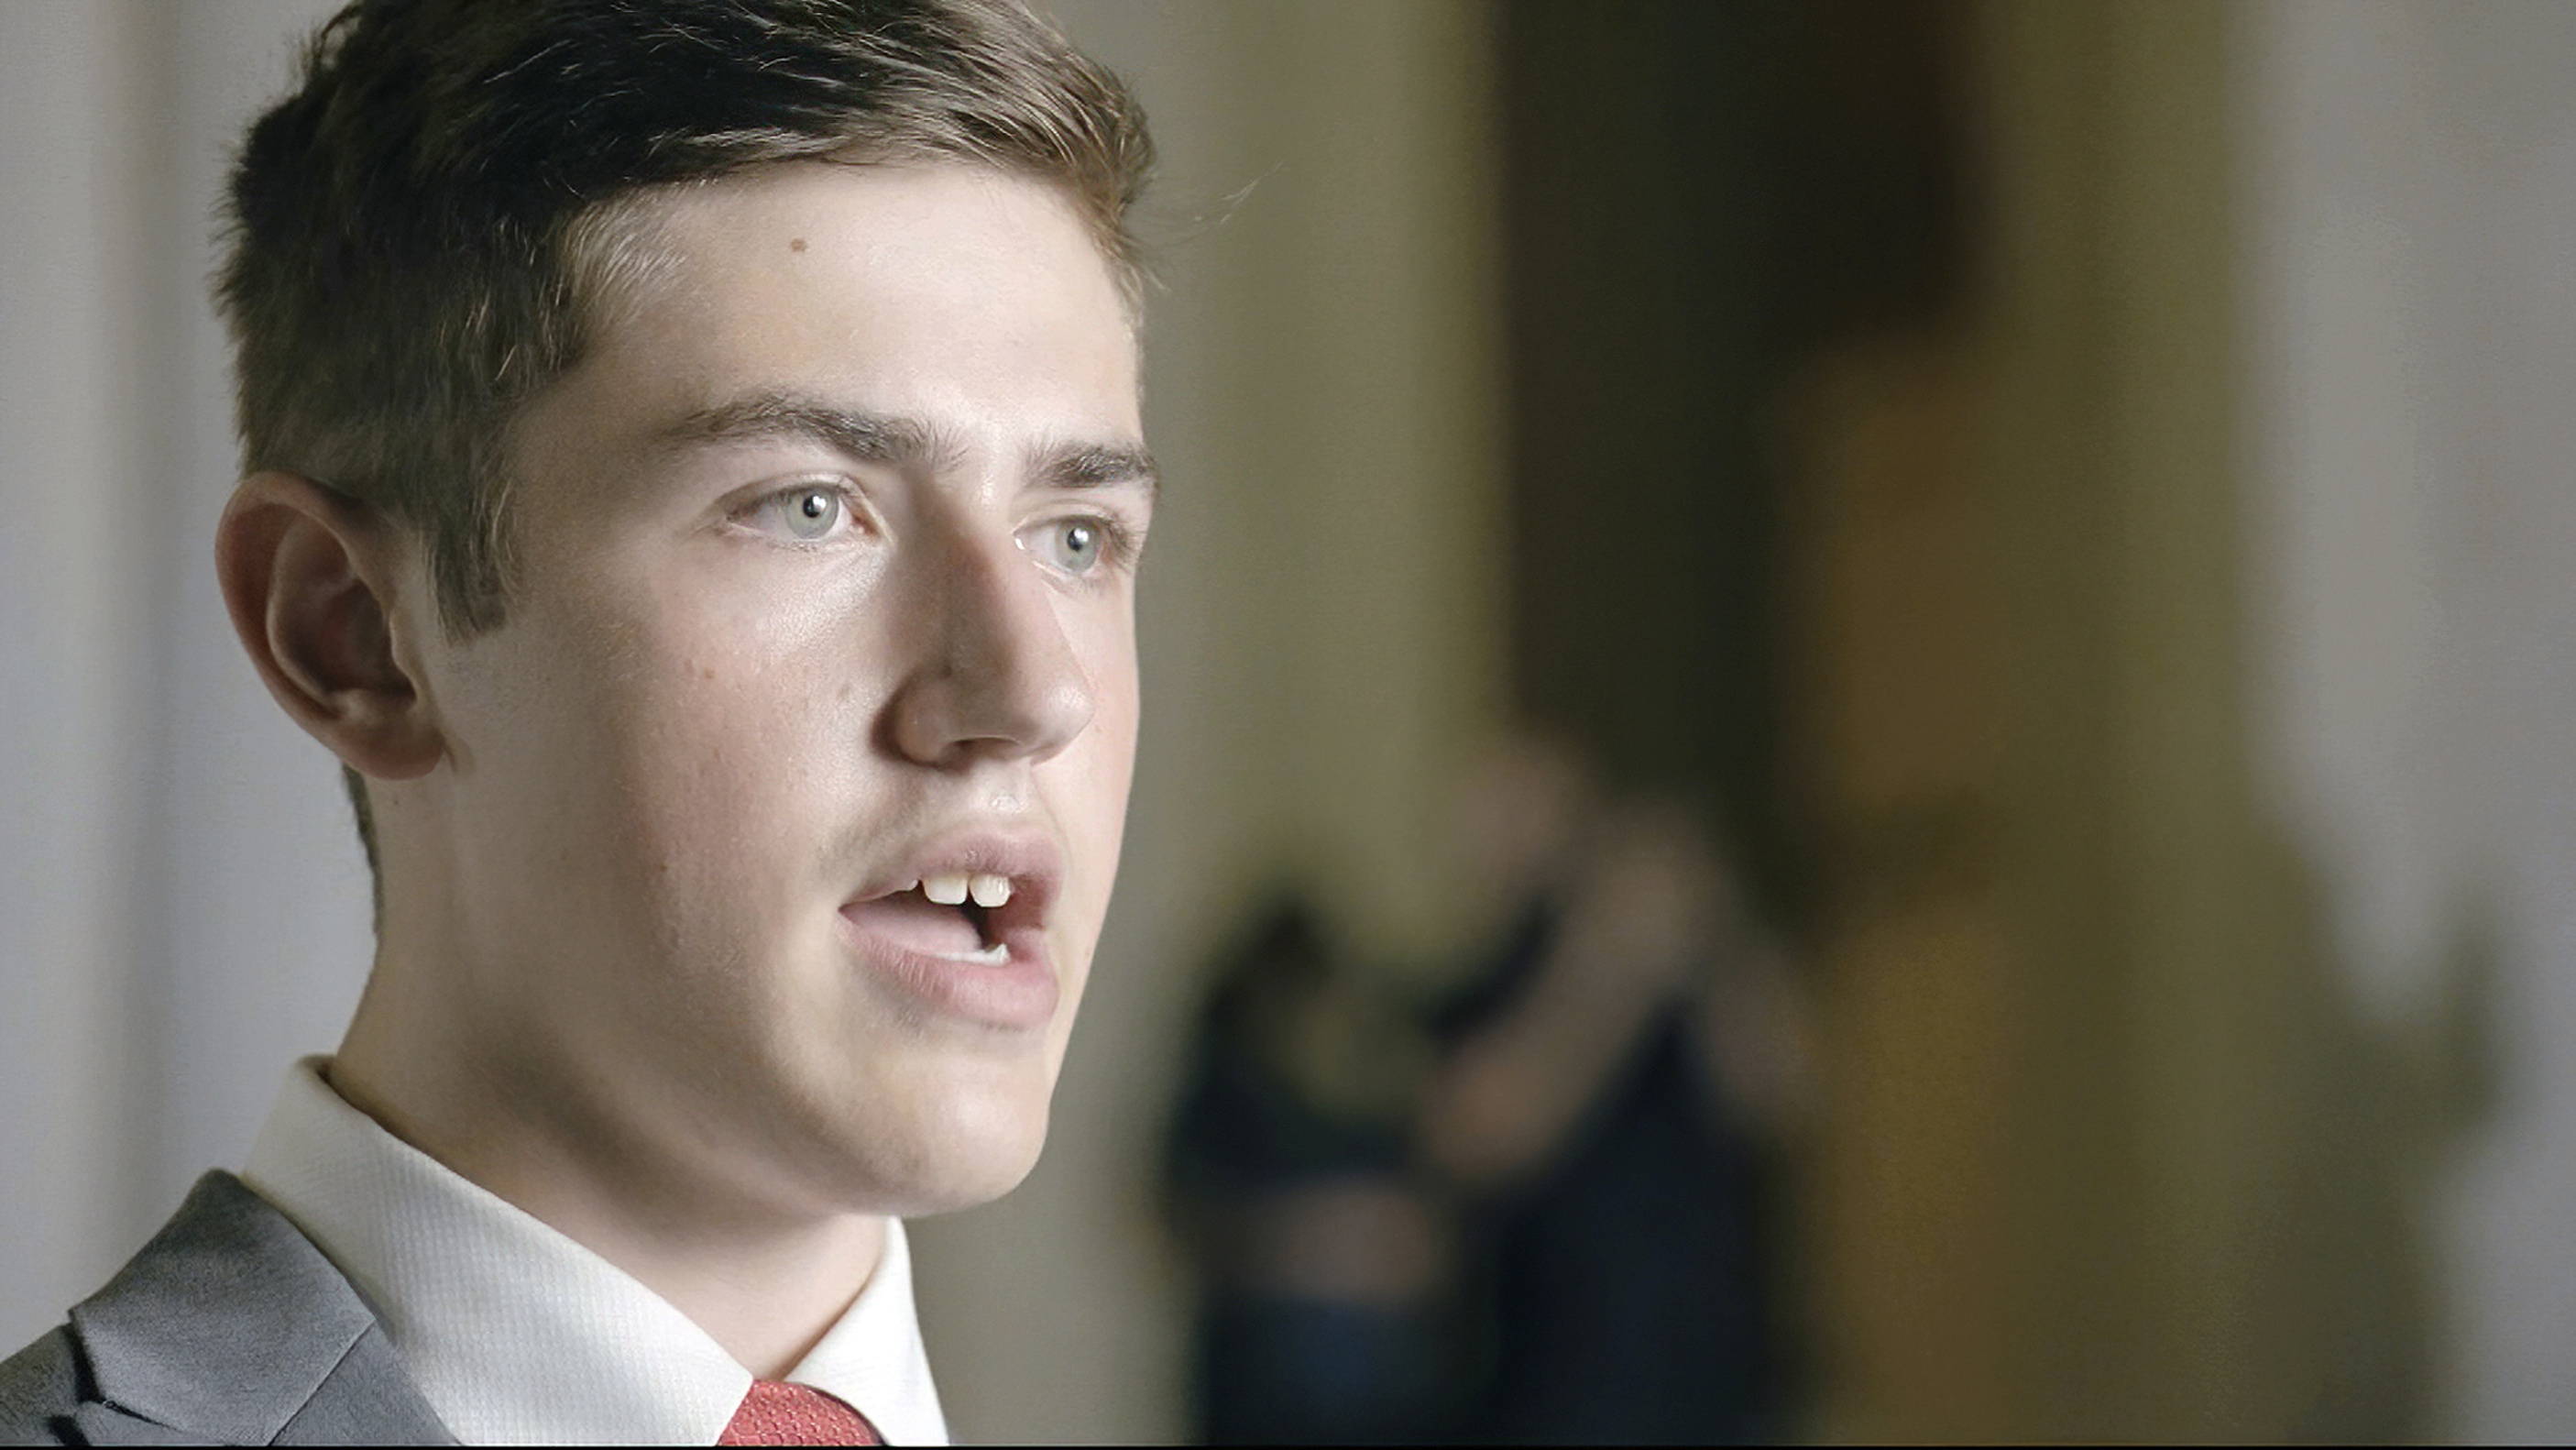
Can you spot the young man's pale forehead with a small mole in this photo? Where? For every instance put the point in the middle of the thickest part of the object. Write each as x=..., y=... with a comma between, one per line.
x=960, y=295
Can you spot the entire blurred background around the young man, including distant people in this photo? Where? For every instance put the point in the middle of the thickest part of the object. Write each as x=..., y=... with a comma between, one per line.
x=2026, y=552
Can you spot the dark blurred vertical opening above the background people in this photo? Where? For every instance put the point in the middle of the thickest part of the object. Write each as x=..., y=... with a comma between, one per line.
x=1696, y=202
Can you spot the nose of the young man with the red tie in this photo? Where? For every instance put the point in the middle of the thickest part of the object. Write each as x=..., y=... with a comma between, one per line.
x=996, y=676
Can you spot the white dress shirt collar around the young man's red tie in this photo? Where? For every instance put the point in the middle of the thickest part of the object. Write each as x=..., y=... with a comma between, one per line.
x=516, y=1335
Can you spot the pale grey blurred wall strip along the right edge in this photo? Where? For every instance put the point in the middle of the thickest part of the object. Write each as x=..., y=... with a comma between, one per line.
x=2410, y=303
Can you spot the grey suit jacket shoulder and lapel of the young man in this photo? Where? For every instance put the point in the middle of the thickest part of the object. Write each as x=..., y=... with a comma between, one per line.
x=228, y=1330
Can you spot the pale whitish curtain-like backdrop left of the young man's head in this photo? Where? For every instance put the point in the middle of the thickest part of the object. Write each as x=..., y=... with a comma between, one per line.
x=182, y=900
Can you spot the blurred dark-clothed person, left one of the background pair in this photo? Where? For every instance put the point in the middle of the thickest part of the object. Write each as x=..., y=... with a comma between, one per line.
x=1292, y=1178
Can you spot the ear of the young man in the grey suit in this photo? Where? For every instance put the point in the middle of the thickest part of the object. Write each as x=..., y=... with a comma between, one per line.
x=308, y=578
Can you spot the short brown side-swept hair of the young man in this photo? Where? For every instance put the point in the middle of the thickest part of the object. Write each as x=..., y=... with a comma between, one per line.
x=426, y=228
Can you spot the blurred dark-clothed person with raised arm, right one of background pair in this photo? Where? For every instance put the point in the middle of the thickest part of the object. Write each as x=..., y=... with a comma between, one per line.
x=1614, y=1088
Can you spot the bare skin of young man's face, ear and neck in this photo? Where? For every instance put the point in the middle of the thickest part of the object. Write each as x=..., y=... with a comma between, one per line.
x=617, y=980
